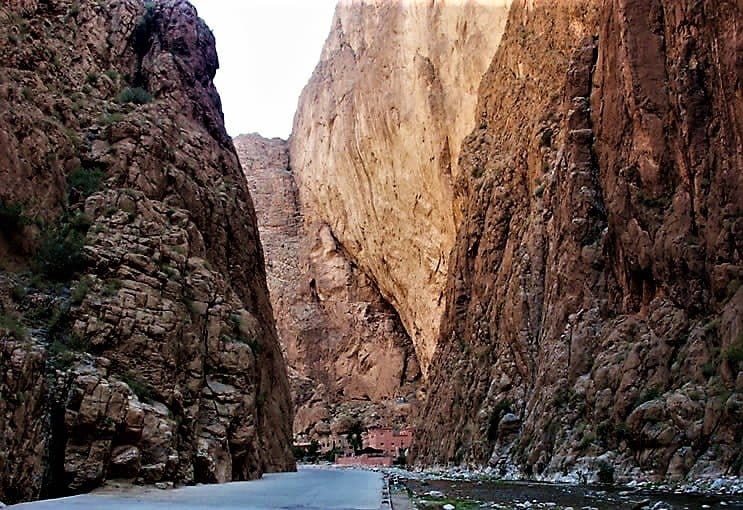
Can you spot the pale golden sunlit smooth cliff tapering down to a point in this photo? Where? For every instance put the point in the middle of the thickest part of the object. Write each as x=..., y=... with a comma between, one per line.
x=376, y=142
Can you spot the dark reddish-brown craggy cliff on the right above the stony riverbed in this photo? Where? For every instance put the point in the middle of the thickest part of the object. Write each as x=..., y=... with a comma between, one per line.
x=594, y=304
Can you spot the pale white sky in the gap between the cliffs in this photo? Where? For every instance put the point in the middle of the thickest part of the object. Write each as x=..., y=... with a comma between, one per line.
x=267, y=52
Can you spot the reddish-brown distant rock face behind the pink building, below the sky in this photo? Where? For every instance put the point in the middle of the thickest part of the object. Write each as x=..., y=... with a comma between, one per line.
x=349, y=357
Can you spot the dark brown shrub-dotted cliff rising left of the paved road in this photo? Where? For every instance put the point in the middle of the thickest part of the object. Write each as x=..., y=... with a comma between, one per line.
x=137, y=335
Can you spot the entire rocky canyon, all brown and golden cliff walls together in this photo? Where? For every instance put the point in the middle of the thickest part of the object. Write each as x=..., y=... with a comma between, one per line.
x=513, y=224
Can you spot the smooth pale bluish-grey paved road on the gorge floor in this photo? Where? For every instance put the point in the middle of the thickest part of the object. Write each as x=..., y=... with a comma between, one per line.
x=308, y=489
